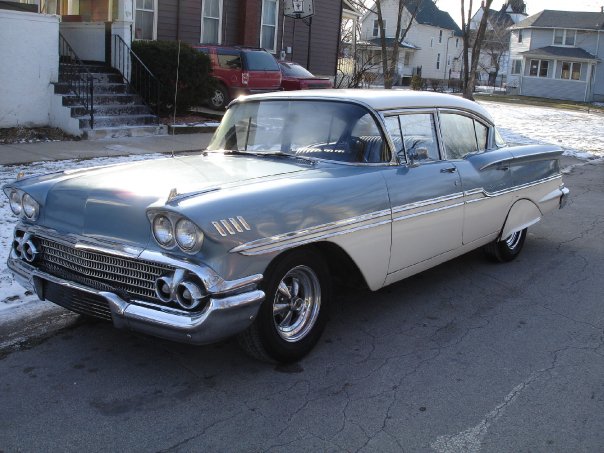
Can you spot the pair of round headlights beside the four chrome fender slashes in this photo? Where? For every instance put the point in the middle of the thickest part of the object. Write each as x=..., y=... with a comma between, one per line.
x=170, y=230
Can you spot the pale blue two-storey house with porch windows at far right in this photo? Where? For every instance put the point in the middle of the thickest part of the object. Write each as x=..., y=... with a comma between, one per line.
x=558, y=54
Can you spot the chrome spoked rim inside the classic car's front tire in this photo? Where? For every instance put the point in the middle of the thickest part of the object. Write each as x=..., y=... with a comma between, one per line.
x=297, y=303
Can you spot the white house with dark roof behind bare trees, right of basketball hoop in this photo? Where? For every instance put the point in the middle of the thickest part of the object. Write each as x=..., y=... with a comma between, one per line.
x=431, y=48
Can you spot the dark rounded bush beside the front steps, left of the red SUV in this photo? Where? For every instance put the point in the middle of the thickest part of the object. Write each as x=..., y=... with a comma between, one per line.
x=194, y=81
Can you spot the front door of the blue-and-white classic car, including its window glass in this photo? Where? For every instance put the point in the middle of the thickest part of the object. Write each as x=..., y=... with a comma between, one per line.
x=425, y=192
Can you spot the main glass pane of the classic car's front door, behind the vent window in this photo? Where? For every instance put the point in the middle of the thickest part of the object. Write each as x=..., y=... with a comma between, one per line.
x=419, y=136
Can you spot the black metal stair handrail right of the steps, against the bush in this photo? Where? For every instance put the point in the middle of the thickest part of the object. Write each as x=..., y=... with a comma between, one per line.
x=139, y=78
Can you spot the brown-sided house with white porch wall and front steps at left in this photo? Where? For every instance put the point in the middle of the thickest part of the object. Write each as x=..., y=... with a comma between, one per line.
x=36, y=90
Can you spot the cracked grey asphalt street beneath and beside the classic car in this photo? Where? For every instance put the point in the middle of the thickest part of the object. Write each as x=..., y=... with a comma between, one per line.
x=469, y=356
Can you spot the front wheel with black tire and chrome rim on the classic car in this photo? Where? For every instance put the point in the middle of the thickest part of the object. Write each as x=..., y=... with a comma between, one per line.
x=293, y=315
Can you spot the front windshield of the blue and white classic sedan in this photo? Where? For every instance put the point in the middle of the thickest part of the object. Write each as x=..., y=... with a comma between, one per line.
x=330, y=130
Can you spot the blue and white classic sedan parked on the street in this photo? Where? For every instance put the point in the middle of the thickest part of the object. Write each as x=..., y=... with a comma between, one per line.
x=297, y=191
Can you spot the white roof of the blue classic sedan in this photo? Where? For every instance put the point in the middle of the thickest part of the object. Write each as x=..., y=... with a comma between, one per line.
x=382, y=99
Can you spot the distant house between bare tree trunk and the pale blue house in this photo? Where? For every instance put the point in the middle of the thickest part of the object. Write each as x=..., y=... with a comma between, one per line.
x=494, y=54
